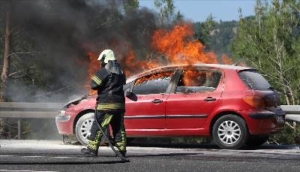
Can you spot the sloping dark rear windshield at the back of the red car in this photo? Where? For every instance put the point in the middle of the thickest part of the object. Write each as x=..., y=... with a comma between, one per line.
x=254, y=80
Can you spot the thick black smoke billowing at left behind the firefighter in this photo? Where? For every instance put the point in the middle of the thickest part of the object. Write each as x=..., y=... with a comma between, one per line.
x=61, y=33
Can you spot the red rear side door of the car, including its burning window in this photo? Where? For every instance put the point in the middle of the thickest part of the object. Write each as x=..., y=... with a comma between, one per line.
x=194, y=98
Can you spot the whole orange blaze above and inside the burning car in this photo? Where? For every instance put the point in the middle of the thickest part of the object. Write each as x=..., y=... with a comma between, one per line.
x=174, y=46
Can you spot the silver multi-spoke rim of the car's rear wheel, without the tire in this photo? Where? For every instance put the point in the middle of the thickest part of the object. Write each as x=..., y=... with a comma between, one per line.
x=229, y=132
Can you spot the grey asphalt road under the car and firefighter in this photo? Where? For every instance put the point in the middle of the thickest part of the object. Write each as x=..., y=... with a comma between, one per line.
x=33, y=155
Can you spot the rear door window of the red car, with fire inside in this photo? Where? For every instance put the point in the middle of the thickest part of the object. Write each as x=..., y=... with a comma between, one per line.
x=194, y=80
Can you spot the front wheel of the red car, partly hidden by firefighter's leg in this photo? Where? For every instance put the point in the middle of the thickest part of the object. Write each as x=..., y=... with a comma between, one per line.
x=83, y=126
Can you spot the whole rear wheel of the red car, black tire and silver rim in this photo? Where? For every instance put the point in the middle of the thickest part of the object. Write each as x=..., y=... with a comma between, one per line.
x=230, y=132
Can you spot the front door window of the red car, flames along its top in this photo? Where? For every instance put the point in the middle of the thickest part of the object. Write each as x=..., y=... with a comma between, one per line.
x=152, y=84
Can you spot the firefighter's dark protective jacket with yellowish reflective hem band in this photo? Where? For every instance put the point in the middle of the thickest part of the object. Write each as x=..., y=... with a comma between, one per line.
x=108, y=82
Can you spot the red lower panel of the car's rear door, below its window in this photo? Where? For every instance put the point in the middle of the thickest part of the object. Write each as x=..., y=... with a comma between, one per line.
x=192, y=109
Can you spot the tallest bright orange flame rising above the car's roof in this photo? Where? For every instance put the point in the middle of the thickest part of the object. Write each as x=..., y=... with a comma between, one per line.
x=179, y=47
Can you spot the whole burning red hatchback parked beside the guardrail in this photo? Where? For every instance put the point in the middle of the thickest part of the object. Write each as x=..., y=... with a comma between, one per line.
x=234, y=105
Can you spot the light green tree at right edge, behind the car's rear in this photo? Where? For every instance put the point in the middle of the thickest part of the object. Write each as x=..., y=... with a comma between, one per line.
x=270, y=42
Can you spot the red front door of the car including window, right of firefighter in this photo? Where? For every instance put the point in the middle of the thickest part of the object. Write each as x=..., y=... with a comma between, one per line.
x=146, y=108
